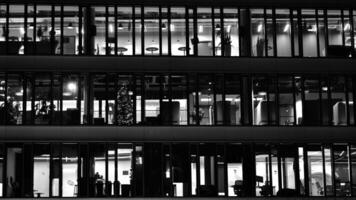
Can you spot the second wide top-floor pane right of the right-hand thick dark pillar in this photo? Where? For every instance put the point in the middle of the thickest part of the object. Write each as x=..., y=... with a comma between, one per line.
x=283, y=32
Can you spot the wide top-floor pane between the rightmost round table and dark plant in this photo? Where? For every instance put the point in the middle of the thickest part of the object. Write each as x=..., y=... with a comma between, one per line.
x=204, y=23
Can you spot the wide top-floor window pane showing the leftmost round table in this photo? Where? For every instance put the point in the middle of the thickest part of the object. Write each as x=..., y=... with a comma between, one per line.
x=124, y=30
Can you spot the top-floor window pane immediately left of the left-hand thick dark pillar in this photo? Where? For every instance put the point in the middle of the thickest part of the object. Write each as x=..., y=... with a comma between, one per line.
x=71, y=30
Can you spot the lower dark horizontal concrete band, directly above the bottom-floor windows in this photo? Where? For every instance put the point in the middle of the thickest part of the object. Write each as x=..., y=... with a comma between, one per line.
x=179, y=134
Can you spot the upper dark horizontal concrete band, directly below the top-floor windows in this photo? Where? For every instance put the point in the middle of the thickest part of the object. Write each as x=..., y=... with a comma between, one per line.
x=177, y=64
